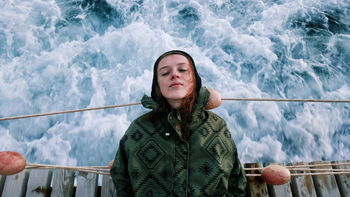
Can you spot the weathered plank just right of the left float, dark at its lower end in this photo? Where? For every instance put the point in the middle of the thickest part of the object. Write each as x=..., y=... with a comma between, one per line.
x=39, y=183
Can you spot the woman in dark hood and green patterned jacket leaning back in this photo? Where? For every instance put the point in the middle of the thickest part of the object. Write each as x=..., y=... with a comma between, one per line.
x=179, y=148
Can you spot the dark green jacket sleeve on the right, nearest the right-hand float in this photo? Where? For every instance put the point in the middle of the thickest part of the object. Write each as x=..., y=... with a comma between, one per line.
x=237, y=181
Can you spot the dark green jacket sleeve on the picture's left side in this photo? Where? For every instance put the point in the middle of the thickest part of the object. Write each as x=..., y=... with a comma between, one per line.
x=119, y=171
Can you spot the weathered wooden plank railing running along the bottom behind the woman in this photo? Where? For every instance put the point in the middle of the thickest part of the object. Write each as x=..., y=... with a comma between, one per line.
x=70, y=183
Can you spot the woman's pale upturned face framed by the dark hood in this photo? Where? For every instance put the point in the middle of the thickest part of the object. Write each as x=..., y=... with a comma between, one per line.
x=175, y=77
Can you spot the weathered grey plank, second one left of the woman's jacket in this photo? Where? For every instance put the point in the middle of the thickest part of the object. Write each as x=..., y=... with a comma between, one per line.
x=86, y=185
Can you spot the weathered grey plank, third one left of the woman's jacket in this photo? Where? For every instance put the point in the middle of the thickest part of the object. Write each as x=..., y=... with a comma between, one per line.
x=62, y=183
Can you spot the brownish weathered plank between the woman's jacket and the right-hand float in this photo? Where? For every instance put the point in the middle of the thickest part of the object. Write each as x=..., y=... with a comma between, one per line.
x=256, y=185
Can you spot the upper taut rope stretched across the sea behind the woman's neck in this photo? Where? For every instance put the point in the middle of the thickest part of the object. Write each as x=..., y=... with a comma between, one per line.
x=130, y=104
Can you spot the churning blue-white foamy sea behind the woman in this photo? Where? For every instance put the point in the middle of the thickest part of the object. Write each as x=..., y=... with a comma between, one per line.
x=58, y=55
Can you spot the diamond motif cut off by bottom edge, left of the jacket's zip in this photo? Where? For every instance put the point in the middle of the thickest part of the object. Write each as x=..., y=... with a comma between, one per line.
x=152, y=187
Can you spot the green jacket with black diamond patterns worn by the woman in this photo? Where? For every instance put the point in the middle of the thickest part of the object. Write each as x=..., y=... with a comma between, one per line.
x=153, y=159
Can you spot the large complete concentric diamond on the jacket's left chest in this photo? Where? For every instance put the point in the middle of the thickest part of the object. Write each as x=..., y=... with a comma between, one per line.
x=150, y=154
